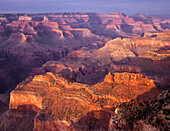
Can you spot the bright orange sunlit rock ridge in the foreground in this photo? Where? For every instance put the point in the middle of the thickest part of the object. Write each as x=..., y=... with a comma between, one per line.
x=64, y=104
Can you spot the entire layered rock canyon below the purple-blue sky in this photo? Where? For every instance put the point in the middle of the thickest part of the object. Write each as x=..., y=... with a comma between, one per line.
x=84, y=71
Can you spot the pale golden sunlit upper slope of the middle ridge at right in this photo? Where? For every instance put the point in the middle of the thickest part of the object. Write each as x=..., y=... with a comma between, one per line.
x=122, y=50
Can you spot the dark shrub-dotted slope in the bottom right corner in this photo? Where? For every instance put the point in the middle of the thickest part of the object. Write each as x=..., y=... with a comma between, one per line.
x=142, y=116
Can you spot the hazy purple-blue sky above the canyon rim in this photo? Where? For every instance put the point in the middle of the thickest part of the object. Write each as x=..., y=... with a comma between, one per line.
x=129, y=7
